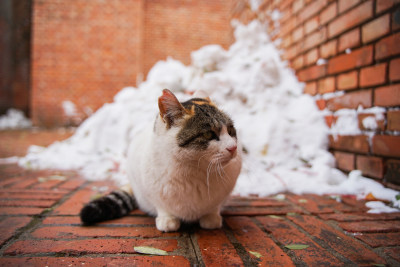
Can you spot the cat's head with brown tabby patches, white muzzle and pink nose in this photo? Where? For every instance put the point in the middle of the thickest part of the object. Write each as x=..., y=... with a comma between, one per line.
x=202, y=130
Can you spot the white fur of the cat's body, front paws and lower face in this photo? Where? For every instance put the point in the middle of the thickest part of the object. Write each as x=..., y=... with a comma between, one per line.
x=180, y=184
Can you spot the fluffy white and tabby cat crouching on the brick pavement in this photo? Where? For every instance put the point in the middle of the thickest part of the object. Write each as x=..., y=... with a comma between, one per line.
x=183, y=167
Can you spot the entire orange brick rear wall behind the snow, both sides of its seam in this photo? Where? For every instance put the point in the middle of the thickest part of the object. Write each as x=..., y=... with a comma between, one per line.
x=86, y=51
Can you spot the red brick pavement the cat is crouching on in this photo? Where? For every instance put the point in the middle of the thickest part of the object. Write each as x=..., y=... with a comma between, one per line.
x=40, y=226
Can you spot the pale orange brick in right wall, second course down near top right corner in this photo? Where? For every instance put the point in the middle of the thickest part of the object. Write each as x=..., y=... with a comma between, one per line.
x=376, y=28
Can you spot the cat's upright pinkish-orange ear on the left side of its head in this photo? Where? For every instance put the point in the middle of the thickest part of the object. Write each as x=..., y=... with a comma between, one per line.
x=170, y=108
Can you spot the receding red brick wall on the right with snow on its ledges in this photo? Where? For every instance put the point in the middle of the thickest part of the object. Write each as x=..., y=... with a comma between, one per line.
x=368, y=76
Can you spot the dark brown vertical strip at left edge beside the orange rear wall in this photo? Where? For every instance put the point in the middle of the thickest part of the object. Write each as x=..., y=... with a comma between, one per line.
x=15, y=54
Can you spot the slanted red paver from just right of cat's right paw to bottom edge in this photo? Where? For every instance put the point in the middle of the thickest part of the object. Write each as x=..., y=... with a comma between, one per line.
x=255, y=240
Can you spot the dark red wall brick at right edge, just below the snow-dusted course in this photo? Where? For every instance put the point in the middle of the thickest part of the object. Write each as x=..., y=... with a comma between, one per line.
x=386, y=145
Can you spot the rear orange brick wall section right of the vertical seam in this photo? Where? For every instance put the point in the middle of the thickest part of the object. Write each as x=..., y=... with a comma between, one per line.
x=177, y=27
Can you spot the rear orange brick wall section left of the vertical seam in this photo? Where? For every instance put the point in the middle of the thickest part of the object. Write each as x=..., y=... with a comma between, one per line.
x=84, y=52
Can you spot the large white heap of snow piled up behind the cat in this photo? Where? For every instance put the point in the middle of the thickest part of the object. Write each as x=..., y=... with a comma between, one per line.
x=282, y=130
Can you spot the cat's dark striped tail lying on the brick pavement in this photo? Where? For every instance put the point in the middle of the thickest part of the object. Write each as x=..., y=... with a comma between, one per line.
x=116, y=204
